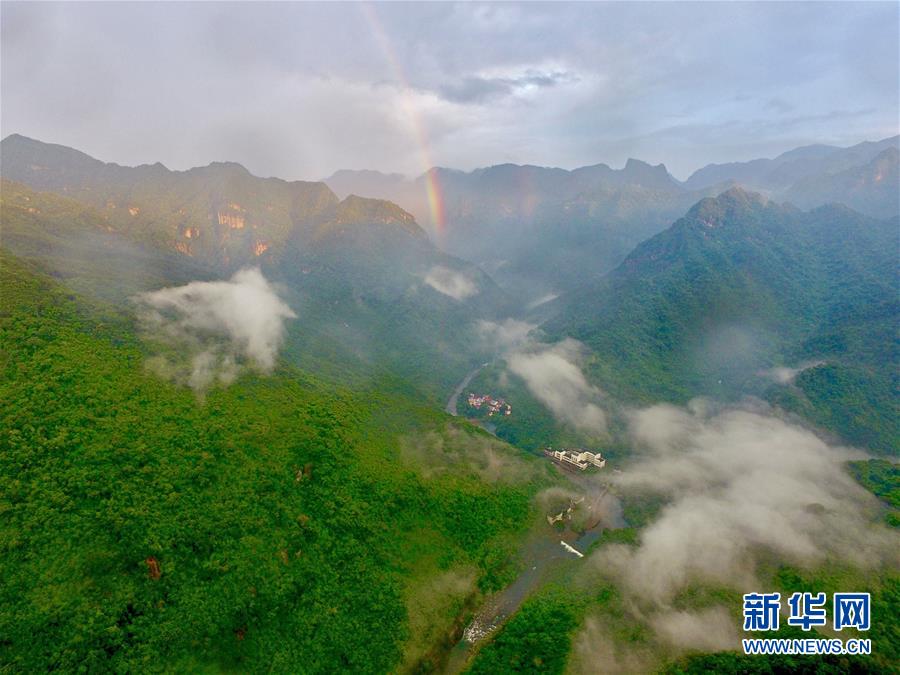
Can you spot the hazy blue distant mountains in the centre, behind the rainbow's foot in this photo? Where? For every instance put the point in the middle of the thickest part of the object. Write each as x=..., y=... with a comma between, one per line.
x=536, y=230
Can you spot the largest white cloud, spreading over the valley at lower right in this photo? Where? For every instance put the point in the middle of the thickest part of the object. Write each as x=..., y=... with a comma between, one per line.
x=741, y=484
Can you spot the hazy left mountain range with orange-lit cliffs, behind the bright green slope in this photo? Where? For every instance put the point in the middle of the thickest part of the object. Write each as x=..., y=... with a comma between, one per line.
x=374, y=291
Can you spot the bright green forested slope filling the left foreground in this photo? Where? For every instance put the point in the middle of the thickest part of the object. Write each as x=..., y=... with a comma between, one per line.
x=275, y=524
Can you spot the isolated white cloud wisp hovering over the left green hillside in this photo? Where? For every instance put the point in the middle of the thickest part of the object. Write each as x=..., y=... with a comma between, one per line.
x=214, y=326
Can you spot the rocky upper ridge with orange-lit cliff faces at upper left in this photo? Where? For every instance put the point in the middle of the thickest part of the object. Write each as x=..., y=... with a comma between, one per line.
x=219, y=214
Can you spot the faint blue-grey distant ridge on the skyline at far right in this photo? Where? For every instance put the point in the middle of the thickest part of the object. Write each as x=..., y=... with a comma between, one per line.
x=778, y=175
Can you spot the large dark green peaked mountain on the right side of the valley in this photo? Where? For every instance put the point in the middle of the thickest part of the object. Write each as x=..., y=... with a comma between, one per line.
x=741, y=287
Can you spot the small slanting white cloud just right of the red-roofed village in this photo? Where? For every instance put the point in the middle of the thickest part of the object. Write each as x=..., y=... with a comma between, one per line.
x=552, y=375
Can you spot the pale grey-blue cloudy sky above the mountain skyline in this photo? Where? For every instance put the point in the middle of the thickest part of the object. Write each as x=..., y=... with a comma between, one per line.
x=301, y=90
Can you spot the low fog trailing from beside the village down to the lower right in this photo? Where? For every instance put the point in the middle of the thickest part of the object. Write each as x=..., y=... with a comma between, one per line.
x=740, y=482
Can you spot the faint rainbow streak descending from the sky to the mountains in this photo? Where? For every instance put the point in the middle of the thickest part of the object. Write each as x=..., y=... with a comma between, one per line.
x=433, y=192
